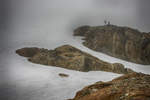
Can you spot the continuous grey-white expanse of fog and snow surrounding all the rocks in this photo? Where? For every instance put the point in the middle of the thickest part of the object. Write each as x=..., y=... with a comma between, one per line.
x=49, y=24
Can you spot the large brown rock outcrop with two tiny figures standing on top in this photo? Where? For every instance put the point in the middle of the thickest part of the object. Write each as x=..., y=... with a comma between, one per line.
x=121, y=42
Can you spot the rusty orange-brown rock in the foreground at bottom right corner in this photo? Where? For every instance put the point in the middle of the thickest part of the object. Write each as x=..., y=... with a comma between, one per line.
x=133, y=86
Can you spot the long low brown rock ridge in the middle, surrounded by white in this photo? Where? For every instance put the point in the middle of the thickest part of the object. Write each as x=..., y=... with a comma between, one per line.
x=72, y=58
